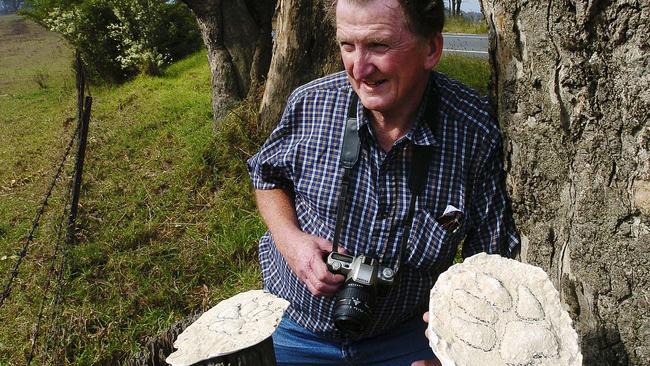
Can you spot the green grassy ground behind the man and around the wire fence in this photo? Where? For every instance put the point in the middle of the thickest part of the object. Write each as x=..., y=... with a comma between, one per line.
x=167, y=223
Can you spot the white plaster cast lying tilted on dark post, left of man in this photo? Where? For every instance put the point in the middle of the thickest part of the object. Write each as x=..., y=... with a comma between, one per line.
x=234, y=324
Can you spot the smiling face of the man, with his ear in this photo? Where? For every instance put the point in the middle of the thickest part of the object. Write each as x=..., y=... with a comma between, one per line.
x=386, y=63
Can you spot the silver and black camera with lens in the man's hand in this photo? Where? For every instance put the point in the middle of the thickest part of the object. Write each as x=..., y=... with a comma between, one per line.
x=355, y=299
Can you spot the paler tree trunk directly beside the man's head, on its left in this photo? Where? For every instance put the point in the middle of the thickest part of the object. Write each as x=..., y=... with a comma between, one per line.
x=305, y=48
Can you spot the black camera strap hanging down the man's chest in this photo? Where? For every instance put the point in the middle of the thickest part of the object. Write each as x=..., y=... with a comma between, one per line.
x=349, y=157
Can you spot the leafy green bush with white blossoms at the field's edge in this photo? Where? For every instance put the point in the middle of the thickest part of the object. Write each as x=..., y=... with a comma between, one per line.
x=120, y=38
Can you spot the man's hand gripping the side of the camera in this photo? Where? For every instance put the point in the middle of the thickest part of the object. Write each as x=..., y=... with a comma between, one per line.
x=305, y=255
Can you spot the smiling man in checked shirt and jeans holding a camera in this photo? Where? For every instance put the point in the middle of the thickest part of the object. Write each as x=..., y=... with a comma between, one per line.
x=407, y=124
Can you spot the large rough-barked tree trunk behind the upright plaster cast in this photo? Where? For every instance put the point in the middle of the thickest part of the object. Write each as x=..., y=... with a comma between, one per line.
x=572, y=87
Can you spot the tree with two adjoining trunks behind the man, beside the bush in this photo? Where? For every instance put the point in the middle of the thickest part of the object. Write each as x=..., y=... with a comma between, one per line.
x=237, y=35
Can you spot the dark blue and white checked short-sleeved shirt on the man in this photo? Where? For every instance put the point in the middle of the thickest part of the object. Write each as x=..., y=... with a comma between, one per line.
x=302, y=157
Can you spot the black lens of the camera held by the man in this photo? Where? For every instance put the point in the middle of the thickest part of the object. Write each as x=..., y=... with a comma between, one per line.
x=352, y=309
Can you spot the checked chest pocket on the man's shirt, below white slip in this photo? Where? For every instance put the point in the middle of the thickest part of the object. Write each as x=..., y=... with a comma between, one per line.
x=430, y=245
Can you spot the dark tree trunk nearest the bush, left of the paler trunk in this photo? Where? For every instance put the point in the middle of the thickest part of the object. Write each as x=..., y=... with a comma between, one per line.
x=237, y=35
